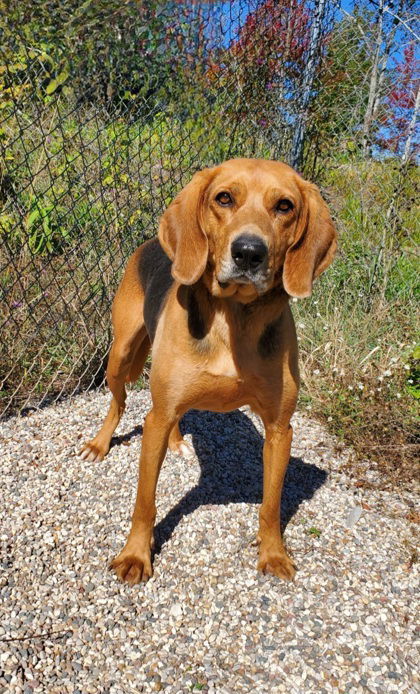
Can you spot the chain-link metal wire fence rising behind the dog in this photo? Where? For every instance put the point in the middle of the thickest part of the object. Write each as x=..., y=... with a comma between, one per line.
x=107, y=108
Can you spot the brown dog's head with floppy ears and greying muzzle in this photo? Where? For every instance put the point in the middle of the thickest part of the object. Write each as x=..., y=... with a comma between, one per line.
x=246, y=226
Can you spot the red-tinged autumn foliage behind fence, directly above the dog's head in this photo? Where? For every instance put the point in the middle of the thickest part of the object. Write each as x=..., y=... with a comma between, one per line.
x=266, y=60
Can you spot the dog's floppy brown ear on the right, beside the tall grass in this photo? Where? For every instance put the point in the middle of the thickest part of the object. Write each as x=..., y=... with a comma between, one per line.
x=314, y=245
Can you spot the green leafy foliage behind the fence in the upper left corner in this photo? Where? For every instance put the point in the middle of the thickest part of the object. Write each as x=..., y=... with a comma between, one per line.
x=49, y=44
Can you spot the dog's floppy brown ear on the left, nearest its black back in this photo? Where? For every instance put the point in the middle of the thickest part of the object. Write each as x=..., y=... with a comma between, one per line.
x=180, y=232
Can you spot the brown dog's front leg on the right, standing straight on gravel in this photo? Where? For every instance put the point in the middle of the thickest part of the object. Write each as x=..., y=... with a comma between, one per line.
x=273, y=556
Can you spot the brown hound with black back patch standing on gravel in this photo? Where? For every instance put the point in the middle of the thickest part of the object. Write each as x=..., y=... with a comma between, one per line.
x=210, y=296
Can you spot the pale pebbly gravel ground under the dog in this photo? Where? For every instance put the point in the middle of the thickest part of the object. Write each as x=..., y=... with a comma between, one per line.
x=206, y=621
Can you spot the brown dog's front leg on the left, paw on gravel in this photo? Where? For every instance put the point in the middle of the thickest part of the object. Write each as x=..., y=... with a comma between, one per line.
x=134, y=563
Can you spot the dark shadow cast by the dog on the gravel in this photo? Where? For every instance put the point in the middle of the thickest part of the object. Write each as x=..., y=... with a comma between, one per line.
x=229, y=450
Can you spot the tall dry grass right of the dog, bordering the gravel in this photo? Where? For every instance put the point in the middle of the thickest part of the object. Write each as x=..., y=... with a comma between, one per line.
x=358, y=333
